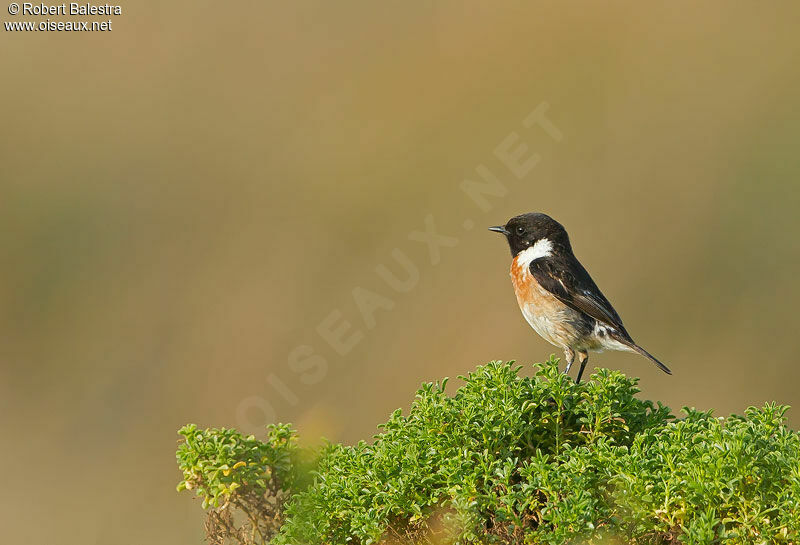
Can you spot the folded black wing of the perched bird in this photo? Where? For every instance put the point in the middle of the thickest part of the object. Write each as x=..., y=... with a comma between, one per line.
x=566, y=278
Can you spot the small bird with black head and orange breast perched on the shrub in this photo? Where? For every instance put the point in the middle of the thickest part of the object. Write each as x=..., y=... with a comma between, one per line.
x=557, y=296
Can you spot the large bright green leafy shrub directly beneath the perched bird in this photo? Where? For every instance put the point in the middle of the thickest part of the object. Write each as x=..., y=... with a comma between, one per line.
x=510, y=459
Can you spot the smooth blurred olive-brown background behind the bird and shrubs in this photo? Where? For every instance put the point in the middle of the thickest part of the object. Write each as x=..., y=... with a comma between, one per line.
x=189, y=200
